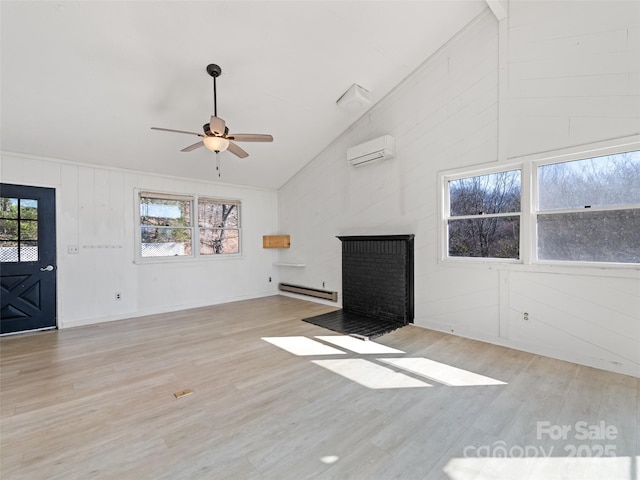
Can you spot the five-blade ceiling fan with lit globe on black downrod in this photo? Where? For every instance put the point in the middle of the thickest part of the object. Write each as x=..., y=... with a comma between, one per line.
x=216, y=135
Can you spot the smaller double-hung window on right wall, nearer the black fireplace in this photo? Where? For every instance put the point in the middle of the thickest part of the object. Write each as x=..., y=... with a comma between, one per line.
x=484, y=216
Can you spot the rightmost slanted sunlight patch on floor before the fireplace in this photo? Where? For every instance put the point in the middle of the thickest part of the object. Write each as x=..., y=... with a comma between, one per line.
x=441, y=372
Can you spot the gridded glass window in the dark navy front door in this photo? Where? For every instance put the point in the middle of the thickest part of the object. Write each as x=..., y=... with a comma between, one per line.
x=18, y=230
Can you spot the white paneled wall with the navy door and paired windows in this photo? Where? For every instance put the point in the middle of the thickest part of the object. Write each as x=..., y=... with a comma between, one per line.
x=95, y=210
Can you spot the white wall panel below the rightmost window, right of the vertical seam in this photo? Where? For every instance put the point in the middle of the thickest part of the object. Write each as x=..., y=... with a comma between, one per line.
x=596, y=318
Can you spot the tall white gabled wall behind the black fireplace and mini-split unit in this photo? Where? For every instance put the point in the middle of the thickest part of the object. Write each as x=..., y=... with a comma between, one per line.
x=553, y=75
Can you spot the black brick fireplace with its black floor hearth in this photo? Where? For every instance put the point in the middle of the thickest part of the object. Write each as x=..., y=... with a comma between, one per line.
x=377, y=286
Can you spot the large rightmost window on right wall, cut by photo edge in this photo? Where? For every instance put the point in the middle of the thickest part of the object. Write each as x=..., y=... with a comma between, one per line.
x=589, y=210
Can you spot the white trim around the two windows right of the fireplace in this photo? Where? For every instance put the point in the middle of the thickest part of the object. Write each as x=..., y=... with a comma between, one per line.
x=528, y=217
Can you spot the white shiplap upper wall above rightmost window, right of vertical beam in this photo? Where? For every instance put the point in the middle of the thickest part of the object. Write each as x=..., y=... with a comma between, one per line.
x=574, y=73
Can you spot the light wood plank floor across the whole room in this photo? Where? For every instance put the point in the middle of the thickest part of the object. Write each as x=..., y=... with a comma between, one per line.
x=97, y=402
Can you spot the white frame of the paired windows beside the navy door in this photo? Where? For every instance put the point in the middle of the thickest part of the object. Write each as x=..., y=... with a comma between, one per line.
x=194, y=227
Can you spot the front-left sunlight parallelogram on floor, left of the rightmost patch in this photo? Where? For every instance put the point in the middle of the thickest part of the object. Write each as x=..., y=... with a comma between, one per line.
x=369, y=374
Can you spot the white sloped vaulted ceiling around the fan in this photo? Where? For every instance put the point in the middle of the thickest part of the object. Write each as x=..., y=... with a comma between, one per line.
x=84, y=81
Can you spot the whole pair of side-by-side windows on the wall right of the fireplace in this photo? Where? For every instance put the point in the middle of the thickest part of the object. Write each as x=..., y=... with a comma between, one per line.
x=575, y=211
